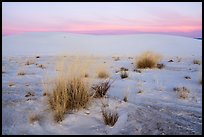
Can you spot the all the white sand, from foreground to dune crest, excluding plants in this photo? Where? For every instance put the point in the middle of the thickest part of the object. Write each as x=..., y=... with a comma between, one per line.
x=157, y=110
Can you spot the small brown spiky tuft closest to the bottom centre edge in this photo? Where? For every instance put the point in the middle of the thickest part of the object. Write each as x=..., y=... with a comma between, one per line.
x=110, y=117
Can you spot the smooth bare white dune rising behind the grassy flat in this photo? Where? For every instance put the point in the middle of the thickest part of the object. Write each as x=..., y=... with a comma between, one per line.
x=54, y=43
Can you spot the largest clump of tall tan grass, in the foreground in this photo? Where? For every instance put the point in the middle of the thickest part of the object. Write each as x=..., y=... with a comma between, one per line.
x=68, y=95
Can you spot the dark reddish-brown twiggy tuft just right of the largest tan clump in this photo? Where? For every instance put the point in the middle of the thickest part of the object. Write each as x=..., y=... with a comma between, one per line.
x=101, y=89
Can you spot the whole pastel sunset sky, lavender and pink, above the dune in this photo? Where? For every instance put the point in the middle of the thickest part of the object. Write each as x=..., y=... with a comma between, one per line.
x=177, y=18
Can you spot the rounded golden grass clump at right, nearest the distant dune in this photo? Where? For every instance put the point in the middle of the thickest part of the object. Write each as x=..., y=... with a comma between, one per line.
x=147, y=60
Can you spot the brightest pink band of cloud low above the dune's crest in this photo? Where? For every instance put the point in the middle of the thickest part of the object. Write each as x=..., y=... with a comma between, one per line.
x=91, y=27
